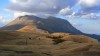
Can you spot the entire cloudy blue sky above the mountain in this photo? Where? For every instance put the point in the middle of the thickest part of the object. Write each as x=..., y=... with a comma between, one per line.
x=82, y=14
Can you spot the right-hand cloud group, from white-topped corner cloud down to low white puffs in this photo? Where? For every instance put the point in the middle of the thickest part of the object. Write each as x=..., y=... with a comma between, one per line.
x=88, y=9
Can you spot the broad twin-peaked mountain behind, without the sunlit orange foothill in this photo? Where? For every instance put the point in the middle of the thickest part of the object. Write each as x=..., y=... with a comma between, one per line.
x=50, y=24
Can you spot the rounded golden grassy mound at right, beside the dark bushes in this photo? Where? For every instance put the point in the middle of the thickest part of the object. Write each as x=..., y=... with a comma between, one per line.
x=75, y=38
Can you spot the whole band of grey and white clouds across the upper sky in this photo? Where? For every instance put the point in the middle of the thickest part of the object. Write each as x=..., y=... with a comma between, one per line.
x=83, y=8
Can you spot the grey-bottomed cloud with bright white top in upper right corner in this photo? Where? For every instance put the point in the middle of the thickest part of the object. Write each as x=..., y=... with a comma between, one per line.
x=89, y=6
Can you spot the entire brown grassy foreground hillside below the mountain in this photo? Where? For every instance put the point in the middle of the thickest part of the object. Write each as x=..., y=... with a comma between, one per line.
x=15, y=43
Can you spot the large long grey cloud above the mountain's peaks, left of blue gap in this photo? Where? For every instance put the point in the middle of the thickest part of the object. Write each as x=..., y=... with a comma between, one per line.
x=41, y=6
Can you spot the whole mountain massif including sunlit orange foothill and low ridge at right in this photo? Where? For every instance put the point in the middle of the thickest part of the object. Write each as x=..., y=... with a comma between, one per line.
x=30, y=23
